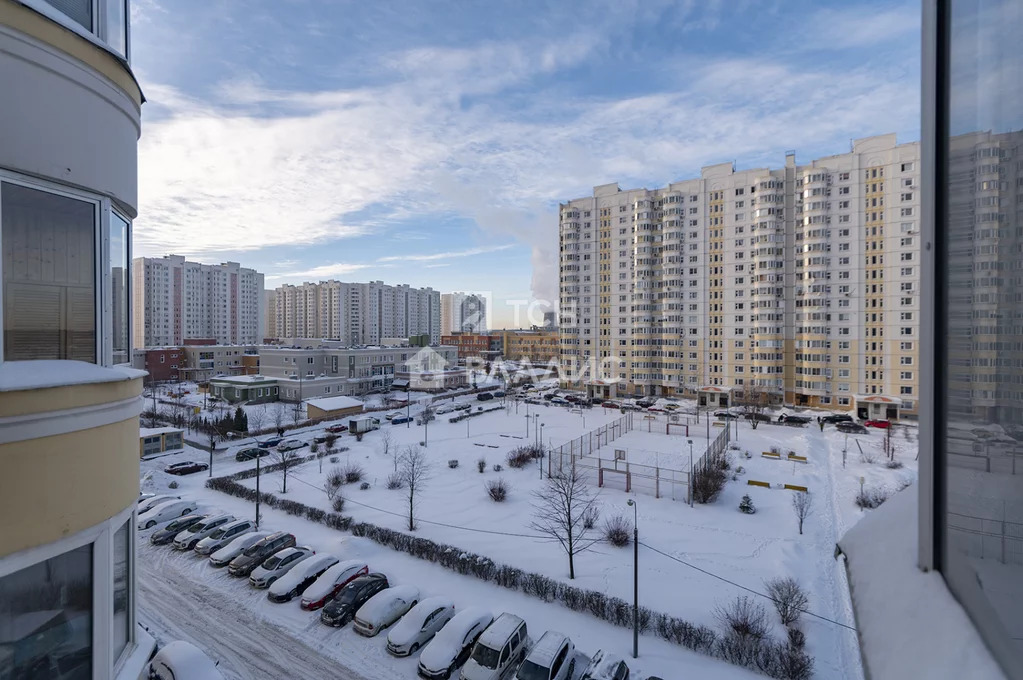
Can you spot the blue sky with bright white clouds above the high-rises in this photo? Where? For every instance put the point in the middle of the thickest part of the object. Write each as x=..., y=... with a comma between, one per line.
x=430, y=143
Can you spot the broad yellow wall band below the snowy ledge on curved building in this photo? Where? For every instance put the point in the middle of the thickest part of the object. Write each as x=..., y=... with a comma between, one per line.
x=57, y=486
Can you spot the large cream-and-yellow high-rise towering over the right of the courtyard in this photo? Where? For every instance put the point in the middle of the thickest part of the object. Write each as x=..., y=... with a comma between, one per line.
x=802, y=283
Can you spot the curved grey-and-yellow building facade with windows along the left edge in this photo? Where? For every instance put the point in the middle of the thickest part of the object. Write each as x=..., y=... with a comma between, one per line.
x=69, y=403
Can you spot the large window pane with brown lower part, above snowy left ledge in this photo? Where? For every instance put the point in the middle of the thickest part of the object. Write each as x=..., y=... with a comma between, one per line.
x=50, y=276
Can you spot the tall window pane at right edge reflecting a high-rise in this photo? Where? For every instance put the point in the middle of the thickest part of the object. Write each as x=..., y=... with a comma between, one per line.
x=980, y=349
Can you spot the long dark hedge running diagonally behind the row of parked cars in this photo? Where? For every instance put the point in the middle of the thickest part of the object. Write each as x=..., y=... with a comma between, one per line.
x=777, y=660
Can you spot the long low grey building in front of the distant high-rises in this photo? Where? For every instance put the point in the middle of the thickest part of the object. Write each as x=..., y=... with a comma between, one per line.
x=331, y=372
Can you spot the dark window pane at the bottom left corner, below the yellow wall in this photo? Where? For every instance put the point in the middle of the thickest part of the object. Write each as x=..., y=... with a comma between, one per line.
x=51, y=605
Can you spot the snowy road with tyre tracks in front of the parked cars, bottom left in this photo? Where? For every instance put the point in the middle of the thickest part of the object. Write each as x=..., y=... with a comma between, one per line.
x=173, y=607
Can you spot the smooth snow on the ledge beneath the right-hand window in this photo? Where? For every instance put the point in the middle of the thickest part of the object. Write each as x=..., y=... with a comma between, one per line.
x=905, y=615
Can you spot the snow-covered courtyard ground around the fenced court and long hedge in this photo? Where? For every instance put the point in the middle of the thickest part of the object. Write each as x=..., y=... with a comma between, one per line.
x=733, y=549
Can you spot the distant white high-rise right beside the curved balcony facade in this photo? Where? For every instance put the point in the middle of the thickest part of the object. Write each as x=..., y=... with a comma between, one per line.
x=177, y=300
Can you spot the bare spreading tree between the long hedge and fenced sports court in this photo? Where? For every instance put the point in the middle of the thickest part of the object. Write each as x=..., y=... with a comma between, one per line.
x=560, y=512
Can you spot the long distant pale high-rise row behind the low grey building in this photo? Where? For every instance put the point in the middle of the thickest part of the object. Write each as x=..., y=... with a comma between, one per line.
x=357, y=313
